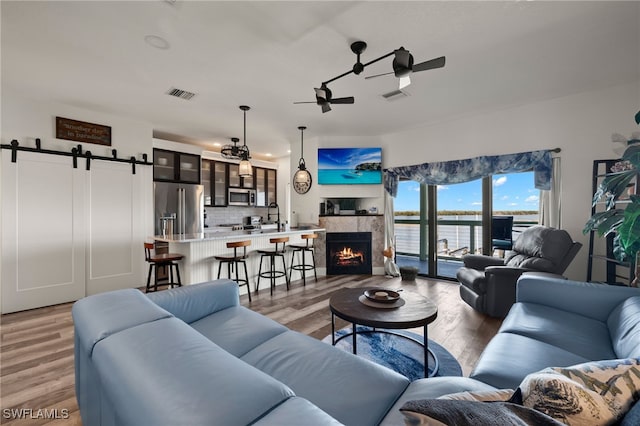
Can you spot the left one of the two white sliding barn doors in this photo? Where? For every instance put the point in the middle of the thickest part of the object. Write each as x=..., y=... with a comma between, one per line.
x=43, y=231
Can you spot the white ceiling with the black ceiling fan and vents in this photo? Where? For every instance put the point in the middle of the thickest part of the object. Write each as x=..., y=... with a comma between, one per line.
x=267, y=55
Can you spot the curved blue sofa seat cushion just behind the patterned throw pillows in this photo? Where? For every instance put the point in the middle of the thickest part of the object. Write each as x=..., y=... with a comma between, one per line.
x=432, y=387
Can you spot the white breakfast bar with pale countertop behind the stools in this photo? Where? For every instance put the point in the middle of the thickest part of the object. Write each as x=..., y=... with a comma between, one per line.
x=198, y=264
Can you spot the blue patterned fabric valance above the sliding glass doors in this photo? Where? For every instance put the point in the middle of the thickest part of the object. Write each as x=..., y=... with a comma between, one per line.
x=459, y=171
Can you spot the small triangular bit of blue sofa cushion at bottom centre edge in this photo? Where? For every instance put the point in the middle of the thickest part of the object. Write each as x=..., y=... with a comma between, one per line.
x=297, y=411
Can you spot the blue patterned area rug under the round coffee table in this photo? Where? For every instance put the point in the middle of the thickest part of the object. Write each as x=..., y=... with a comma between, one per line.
x=397, y=353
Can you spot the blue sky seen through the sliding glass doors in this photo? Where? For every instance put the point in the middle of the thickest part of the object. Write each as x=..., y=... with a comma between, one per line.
x=510, y=192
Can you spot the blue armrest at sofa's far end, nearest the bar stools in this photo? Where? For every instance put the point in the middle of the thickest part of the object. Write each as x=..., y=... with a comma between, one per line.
x=190, y=303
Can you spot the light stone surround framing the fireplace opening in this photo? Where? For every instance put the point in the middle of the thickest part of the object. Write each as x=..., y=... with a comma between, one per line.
x=353, y=223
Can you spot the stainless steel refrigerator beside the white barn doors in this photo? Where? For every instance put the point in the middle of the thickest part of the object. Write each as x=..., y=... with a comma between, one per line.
x=179, y=208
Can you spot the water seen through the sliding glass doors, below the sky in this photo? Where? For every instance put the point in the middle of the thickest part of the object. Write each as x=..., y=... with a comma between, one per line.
x=453, y=240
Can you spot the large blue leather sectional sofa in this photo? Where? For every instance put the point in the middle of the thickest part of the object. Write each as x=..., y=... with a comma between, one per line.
x=195, y=356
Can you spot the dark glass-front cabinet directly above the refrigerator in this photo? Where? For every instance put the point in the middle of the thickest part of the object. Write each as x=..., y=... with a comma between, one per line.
x=173, y=166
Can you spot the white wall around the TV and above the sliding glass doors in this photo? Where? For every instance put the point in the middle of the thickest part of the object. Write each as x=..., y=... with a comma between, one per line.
x=581, y=125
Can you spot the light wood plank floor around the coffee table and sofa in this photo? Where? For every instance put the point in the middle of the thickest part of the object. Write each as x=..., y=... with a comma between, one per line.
x=36, y=346
